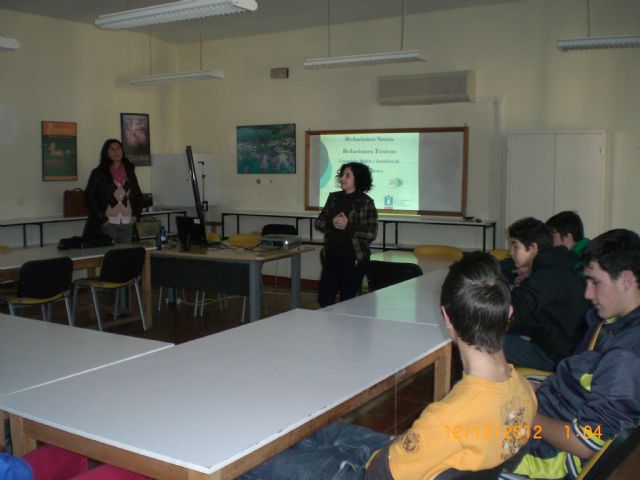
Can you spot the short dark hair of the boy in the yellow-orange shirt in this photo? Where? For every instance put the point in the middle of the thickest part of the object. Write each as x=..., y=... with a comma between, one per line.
x=476, y=298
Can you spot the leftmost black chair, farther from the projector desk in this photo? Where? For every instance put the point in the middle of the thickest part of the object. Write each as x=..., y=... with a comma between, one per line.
x=41, y=282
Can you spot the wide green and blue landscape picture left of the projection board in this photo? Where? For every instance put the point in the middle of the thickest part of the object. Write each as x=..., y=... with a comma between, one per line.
x=267, y=148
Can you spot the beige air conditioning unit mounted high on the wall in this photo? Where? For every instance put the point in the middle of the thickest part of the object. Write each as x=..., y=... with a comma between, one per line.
x=425, y=89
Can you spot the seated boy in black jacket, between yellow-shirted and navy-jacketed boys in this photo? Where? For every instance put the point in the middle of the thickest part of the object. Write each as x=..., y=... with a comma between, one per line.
x=549, y=305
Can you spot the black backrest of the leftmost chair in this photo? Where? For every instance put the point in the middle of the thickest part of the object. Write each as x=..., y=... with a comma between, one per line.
x=45, y=278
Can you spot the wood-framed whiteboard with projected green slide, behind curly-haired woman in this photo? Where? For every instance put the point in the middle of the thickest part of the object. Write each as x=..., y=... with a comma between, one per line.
x=420, y=170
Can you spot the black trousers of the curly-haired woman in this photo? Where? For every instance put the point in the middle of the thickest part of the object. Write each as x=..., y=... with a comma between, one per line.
x=340, y=274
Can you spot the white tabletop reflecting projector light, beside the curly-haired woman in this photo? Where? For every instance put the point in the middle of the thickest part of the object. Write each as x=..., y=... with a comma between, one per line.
x=413, y=301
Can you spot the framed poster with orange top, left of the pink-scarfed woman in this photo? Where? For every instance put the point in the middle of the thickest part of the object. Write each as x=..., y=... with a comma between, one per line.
x=59, y=151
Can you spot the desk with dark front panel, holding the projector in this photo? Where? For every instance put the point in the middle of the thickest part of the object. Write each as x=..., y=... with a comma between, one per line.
x=233, y=271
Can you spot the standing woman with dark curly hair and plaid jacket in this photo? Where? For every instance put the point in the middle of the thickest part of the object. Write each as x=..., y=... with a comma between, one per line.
x=349, y=221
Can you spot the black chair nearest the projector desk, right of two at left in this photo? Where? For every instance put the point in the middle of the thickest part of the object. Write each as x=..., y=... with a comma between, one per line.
x=121, y=267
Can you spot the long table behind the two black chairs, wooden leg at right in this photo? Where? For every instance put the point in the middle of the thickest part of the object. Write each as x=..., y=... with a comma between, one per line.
x=83, y=259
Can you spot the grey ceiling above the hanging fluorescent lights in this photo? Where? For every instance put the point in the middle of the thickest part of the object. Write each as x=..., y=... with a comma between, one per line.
x=271, y=16
